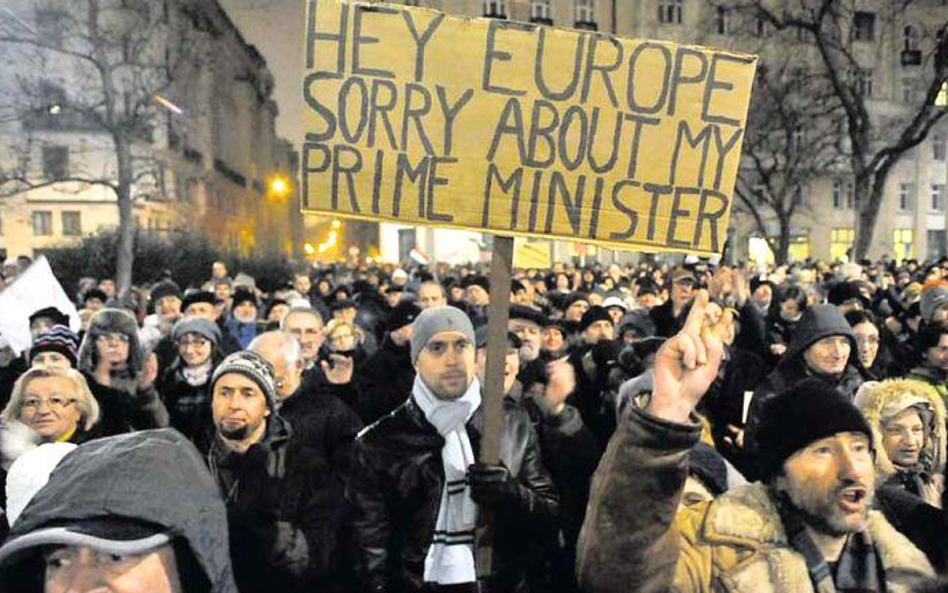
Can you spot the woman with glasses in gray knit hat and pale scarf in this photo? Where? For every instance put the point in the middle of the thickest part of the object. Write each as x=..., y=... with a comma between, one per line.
x=184, y=385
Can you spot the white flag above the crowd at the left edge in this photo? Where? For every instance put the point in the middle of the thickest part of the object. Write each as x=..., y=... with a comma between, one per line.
x=34, y=289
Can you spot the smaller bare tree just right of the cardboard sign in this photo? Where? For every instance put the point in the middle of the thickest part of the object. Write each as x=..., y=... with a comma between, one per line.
x=789, y=139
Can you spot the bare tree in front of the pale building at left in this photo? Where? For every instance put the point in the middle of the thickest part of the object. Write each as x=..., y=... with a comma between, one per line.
x=119, y=58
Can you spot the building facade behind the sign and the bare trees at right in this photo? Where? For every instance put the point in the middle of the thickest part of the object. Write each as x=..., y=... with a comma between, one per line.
x=891, y=50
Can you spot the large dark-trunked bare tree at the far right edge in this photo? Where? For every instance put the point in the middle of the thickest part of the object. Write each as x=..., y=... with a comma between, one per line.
x=831, y=38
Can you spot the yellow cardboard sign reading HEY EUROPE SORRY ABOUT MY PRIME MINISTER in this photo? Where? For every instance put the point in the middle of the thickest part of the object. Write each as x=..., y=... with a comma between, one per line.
x=416, y=117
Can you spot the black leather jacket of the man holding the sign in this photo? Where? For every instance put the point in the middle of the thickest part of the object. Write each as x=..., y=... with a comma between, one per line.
x=396, y=489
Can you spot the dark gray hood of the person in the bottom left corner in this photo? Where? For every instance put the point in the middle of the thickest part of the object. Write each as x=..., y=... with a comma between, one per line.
x=107, y=478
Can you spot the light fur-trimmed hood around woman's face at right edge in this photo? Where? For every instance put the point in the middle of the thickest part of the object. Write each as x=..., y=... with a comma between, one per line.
x=881, y=400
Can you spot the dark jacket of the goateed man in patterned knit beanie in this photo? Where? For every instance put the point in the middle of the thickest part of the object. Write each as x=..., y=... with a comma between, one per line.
x=283, y=508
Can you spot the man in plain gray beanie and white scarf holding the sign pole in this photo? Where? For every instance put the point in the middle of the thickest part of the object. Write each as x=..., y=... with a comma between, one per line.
x=416, y=487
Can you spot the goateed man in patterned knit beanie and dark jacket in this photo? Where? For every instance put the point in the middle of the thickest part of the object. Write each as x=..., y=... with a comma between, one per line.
x=283, y=509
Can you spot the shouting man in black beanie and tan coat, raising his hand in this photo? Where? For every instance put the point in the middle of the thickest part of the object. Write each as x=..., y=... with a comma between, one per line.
x=807, y=527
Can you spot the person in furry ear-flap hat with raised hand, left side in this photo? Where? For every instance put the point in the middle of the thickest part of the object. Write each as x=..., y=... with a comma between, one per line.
x=120, y=374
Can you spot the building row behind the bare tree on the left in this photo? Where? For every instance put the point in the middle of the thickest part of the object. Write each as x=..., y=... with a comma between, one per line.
x=205, y=156
